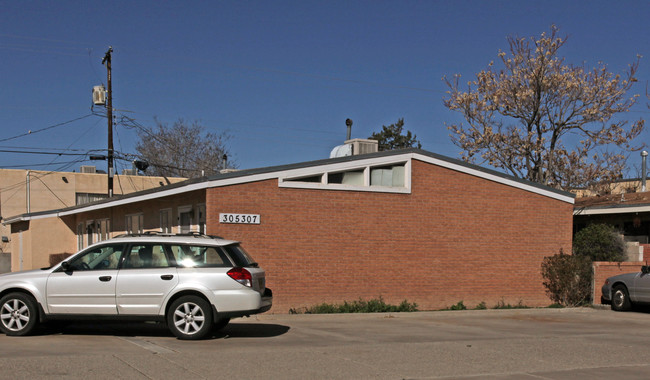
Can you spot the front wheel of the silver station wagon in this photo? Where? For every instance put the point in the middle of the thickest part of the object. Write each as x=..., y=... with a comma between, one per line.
x=18, y=314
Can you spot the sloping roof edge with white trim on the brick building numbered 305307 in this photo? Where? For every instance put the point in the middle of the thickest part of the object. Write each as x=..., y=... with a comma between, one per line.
x=258, y=174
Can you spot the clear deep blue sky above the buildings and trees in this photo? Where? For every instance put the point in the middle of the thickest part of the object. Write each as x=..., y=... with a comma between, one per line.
x=280, y=77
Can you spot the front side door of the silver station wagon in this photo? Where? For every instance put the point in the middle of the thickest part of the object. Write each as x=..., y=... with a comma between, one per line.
x=88, y=284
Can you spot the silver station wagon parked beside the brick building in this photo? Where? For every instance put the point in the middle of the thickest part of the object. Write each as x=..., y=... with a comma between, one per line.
x=193, y=283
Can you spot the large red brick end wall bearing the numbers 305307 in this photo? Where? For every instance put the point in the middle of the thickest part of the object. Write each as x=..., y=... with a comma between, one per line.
x=454, y=238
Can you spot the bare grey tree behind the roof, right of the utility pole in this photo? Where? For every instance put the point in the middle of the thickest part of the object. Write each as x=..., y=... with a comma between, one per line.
x=182, y=149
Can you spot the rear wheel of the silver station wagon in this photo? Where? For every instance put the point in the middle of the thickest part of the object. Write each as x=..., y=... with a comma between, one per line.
x=190, y=318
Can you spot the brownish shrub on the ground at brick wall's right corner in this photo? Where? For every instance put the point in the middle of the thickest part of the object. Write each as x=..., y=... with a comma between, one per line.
x=567, y=279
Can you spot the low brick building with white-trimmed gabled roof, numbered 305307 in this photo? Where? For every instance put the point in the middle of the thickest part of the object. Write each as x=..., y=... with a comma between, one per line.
x=403, y=225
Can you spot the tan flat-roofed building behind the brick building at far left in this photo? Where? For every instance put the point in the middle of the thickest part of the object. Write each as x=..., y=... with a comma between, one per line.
x=29, y=191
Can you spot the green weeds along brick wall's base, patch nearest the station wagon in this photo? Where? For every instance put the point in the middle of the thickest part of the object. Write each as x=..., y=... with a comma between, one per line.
x=376, y=305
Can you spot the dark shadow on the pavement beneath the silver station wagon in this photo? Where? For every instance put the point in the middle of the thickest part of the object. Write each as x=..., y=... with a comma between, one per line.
x=152, y=329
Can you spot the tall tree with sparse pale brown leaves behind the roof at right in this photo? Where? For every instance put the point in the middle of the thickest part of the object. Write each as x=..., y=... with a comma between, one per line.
x=541, y=119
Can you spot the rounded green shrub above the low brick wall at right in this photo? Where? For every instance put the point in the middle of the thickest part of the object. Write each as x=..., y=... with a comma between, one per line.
x=599, y=242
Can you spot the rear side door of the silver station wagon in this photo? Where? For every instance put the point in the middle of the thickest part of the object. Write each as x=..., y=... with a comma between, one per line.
x=145, y=280
